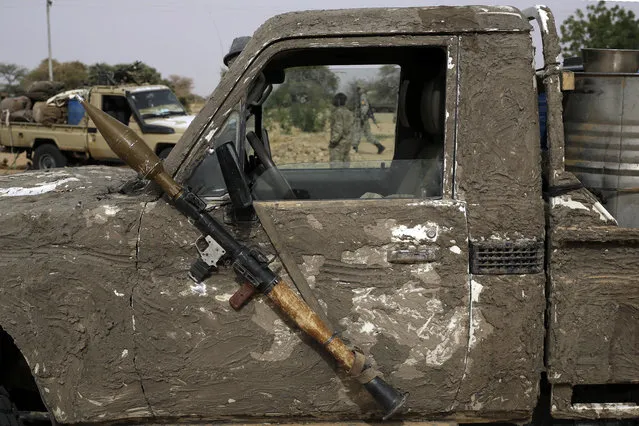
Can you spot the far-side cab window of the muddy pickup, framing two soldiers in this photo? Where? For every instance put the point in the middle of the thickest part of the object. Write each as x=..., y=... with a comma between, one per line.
x=320, y=111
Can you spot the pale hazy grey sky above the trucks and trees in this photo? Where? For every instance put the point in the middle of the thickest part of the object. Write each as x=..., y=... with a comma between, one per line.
x=185, y=37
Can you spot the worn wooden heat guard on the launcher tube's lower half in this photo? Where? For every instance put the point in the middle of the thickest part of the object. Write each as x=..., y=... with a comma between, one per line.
x=310, y=323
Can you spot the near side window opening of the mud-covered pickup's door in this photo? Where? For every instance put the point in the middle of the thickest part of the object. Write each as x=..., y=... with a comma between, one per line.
x=340, y=130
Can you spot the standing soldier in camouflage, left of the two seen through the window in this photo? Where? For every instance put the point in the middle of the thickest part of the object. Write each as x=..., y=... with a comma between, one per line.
x=340, y=143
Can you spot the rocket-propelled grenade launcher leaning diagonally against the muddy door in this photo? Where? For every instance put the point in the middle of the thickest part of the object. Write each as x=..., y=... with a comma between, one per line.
x=250, y=265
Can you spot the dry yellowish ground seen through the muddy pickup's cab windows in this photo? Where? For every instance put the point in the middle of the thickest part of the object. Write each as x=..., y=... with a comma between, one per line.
x=301, y=147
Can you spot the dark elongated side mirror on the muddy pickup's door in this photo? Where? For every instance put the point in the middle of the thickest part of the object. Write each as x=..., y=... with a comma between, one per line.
x=236, y=184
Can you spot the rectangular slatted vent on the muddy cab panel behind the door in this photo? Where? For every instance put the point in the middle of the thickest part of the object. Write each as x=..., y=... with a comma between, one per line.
x=506, y=257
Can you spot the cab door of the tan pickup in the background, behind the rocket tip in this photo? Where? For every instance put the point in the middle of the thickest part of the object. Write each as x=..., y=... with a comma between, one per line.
x=117, y=107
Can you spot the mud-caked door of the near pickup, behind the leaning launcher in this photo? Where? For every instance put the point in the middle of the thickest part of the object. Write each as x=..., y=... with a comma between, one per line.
x=378, y=238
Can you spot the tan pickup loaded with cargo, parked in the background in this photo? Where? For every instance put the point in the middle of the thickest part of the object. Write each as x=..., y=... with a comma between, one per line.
x=151, y=111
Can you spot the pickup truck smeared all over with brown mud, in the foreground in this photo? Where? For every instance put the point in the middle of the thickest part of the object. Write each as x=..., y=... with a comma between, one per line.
x=477, y=273
